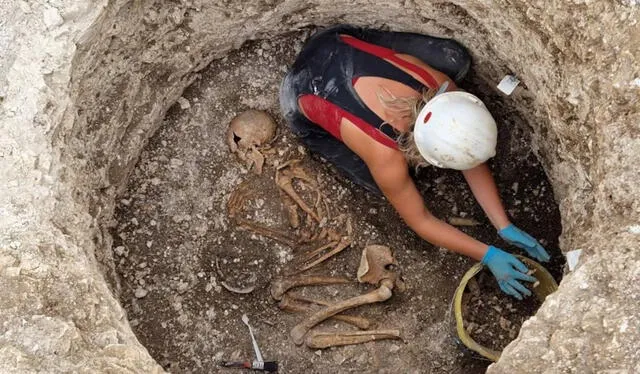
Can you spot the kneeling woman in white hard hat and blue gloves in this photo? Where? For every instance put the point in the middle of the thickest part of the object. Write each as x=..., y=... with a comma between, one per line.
x=375, y=103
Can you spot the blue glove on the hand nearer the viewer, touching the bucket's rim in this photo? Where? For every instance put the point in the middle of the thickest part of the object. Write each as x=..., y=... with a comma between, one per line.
x=508, y=270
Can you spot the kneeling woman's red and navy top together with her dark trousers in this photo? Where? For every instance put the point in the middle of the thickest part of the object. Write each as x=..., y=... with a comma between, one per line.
x=322, y=79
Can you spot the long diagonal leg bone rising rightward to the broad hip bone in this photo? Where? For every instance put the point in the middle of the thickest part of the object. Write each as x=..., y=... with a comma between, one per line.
x=381, y=294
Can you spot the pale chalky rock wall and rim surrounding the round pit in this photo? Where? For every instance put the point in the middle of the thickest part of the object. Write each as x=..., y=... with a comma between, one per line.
x=102, y=76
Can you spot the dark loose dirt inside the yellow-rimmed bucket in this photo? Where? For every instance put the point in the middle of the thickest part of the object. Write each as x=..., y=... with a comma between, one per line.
x=492, y=318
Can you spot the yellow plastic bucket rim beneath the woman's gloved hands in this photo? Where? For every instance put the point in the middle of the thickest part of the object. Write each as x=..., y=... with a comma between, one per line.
x=547, y=286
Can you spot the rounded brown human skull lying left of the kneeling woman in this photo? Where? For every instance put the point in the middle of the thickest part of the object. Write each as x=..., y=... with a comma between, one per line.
x=249, y=129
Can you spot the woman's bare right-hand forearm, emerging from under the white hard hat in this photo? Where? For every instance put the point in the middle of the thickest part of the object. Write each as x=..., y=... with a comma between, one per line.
x=486, y=193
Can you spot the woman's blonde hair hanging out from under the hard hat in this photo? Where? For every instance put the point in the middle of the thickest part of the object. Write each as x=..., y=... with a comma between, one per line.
x=407, y=108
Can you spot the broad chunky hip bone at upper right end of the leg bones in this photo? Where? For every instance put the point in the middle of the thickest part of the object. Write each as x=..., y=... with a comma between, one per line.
x=377, y=263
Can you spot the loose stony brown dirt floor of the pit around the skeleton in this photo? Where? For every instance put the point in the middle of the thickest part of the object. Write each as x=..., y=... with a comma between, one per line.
x=172, y=226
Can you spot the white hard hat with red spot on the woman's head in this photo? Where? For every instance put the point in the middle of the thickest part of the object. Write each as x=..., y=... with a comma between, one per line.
x=455, y=130
